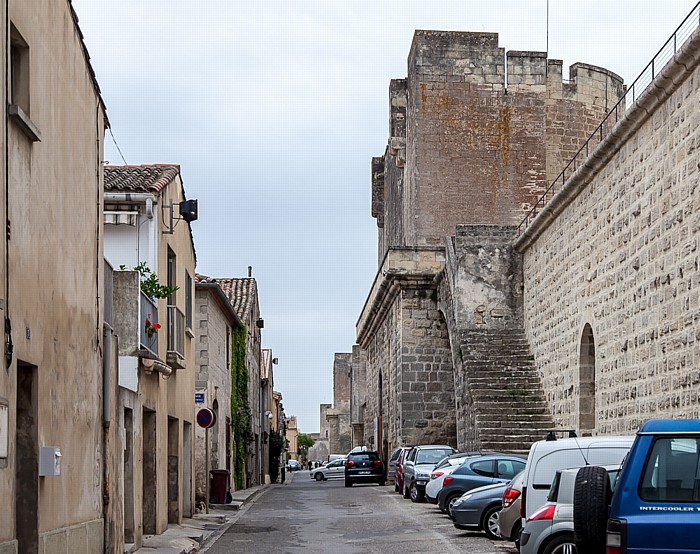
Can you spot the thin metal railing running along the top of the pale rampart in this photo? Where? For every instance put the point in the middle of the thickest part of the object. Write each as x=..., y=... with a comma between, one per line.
x=633, y=92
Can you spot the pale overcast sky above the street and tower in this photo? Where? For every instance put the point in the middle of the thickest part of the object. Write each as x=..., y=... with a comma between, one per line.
x=274, y=109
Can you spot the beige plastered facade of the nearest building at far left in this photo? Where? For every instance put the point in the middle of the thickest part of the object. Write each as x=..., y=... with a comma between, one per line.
x=55, y=274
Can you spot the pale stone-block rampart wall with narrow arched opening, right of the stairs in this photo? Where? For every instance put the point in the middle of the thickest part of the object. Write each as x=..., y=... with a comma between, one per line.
x=623, y=257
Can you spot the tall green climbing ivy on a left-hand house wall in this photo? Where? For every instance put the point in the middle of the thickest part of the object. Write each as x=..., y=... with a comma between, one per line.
x=240, y=409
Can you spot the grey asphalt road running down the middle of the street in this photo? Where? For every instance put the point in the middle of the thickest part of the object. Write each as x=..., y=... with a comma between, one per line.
x=311, y=517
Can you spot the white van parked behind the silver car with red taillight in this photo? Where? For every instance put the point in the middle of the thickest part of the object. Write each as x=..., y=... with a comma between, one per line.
x=547, y=457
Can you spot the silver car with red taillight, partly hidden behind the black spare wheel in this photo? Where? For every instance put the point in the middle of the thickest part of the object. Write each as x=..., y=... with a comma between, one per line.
x=550, y=529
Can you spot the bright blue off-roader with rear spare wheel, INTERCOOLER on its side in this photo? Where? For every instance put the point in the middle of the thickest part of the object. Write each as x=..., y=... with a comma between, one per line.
x=656, y=500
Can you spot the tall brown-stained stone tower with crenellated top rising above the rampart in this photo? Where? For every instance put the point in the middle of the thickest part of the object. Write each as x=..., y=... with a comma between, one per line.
x=467, y=147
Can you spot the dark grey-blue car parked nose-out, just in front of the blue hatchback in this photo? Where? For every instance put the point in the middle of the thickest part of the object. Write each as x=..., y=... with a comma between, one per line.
x=477, y=510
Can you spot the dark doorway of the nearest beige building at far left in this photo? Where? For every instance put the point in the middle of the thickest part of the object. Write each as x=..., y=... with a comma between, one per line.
x=27, y=460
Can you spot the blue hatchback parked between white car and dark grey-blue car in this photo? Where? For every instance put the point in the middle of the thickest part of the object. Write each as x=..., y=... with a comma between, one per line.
x=477, y=472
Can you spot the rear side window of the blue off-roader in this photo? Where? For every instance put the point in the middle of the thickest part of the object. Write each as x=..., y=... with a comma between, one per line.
x=672, y=471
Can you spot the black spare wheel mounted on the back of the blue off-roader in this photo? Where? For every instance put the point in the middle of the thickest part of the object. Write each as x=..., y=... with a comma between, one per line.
x=592, y=495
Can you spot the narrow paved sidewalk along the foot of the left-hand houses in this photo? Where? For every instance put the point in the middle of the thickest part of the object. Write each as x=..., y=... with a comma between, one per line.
x=197, y=533
